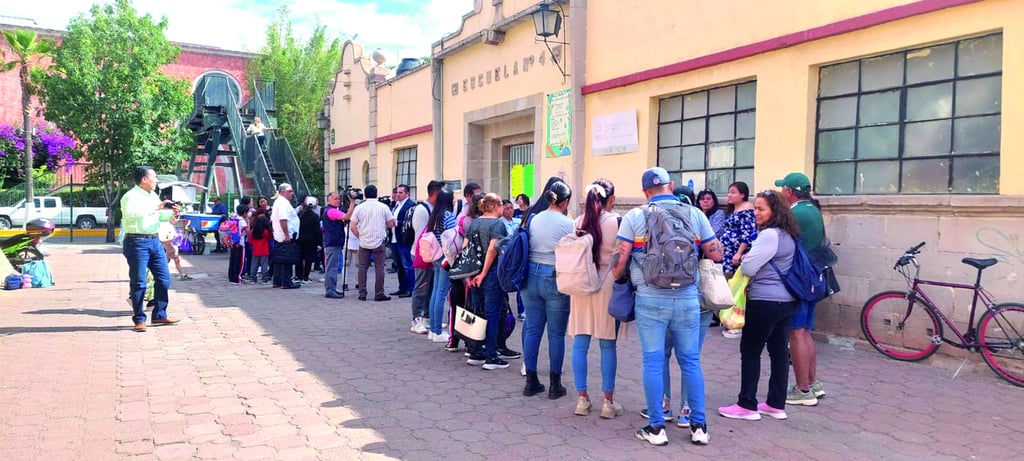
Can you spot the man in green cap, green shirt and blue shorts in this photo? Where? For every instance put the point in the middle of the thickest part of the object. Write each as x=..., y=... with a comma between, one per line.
x=797, y=191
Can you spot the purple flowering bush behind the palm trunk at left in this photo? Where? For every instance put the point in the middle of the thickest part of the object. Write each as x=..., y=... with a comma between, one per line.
x=52, y=150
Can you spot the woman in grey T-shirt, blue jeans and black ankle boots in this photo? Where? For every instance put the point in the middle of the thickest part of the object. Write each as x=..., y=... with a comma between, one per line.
x=545, y=306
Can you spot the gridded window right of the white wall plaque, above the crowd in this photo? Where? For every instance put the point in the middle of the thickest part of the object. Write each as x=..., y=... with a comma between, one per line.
x=708, y=137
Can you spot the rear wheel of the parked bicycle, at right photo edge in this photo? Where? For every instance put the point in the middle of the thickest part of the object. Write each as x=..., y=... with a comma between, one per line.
x=1001, y=332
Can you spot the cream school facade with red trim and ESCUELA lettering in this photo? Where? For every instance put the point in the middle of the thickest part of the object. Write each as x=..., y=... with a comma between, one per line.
x=894, y=109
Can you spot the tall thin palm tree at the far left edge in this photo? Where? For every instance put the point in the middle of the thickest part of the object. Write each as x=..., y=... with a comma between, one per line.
x=26, y=48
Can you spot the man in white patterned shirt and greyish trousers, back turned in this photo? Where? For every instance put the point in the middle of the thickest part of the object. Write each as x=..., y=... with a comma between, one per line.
x=371, y=220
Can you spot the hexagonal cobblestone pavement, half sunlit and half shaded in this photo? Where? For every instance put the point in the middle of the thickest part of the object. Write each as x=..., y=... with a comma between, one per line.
x=258, y=373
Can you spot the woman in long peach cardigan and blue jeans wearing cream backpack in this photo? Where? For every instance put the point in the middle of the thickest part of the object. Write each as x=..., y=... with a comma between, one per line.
x=589, y=315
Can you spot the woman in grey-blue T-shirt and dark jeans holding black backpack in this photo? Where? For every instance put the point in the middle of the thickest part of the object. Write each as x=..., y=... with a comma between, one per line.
x=489, y=229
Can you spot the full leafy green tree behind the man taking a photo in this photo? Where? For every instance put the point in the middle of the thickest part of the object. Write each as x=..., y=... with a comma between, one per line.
x=107, y=90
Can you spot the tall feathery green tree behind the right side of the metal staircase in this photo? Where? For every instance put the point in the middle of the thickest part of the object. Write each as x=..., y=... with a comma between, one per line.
x=303, y=75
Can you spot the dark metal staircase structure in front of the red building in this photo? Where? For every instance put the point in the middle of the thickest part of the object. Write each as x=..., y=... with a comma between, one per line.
x=223, y=144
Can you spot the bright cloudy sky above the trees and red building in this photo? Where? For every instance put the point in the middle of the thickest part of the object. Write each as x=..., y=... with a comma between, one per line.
x=400, y=28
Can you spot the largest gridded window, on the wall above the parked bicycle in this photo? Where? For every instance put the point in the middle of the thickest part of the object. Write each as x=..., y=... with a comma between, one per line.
x=920, y=121
